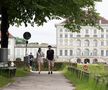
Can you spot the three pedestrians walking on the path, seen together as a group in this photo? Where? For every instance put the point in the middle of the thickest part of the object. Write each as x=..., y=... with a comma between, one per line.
x=40, y=59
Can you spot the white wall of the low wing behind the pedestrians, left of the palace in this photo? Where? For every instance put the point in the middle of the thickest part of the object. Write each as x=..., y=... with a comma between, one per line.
x=20, y=50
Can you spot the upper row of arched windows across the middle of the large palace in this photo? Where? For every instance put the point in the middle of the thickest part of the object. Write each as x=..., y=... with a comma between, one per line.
x=86, y=43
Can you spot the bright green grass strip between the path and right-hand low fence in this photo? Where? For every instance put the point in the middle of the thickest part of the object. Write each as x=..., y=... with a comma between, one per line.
x=83, y=84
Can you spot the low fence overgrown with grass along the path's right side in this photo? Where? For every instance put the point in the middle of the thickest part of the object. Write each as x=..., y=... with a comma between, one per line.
x=102, y=81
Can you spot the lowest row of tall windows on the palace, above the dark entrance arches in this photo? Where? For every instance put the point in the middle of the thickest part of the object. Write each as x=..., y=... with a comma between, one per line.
x=86, y=52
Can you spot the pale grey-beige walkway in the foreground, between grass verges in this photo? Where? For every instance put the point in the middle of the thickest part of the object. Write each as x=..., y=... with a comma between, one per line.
x=42, y=81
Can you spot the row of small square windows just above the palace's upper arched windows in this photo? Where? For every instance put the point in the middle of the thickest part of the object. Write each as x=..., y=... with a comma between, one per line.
x=71, y=36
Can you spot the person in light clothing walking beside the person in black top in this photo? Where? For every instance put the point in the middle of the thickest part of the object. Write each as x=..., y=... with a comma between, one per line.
x=39, y=59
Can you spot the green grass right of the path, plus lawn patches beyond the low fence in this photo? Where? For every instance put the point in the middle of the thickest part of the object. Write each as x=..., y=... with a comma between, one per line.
x=84, y=84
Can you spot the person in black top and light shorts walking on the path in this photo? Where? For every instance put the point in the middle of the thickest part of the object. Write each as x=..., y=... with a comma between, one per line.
x=50, y=58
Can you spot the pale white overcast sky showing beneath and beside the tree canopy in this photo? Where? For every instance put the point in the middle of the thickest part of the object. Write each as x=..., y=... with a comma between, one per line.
x=47, y=32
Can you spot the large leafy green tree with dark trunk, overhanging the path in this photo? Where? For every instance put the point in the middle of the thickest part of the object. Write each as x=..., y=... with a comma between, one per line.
x=78, y=12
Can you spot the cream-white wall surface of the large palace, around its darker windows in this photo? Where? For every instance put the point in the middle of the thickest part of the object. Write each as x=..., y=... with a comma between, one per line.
x=71, y=43
